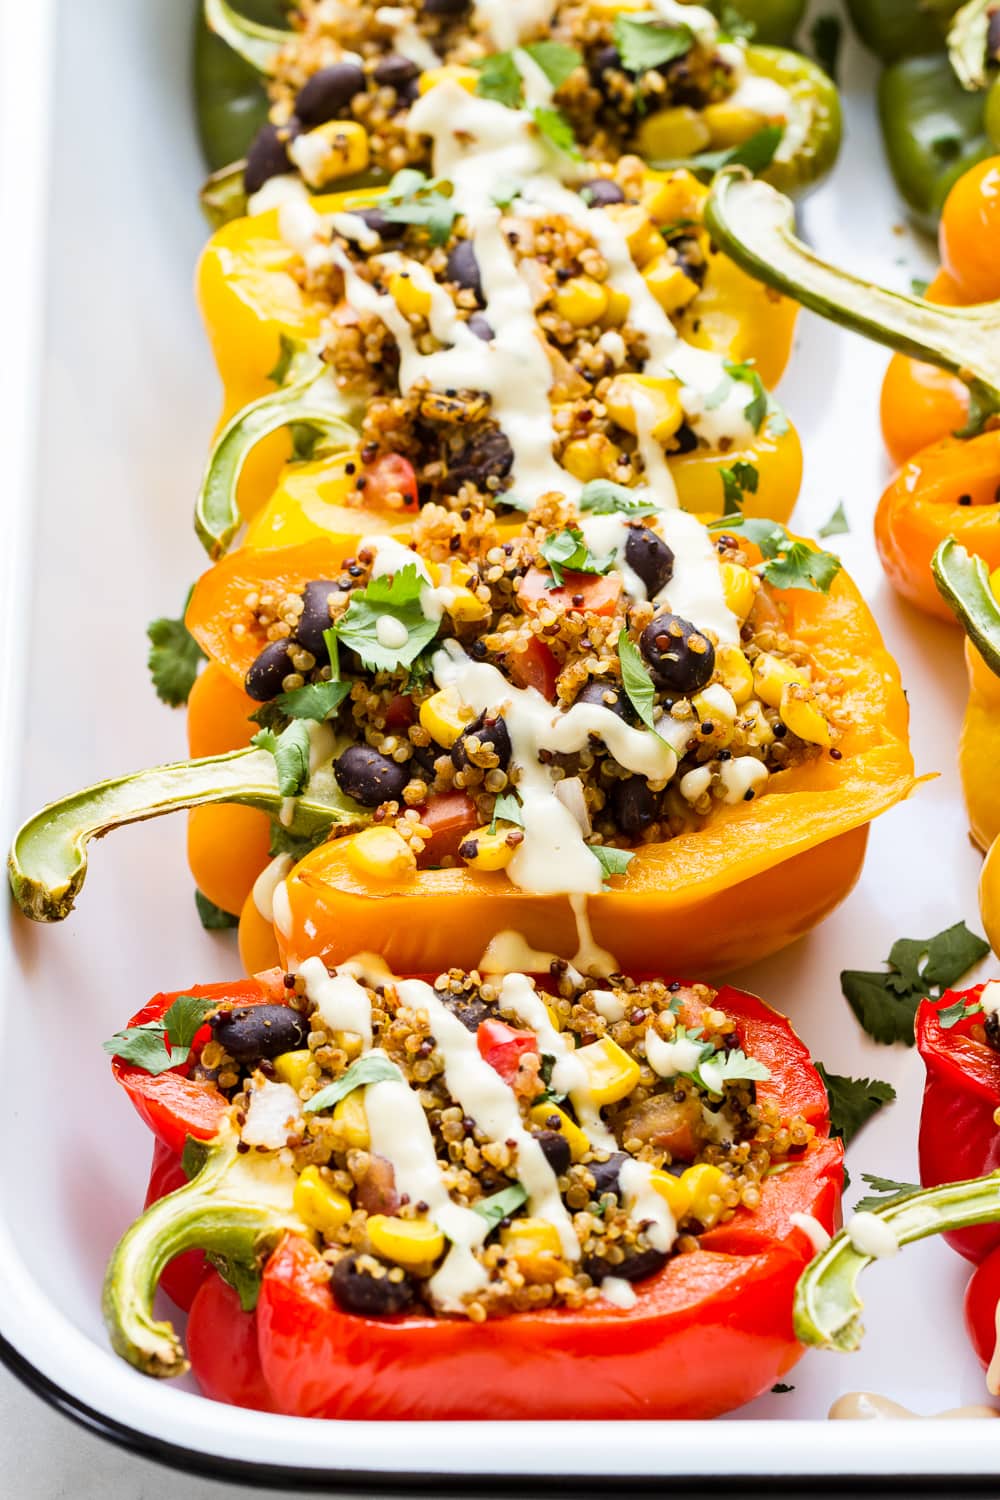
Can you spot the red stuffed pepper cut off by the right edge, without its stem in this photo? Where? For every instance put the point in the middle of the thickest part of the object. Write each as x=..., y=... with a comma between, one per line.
x=960, y=1136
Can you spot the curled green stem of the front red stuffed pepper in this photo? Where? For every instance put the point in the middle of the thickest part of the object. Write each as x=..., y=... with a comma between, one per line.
x=215, y=1213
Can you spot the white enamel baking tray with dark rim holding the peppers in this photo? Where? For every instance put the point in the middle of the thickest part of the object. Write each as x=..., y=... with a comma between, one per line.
x=107, y=404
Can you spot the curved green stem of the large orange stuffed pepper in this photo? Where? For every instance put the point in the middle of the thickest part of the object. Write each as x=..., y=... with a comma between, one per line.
x=49, y=859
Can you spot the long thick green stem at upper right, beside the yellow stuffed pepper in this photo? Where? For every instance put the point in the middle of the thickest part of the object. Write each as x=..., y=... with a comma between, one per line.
x=753, y=224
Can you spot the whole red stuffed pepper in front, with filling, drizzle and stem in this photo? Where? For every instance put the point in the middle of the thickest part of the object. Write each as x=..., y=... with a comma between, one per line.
x=644, y=1267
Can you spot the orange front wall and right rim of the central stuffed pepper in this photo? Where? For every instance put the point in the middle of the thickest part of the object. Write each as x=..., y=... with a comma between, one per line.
x=750, y=881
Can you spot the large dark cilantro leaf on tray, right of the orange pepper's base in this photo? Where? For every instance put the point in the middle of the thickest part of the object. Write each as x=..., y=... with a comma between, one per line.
x=885, y=1001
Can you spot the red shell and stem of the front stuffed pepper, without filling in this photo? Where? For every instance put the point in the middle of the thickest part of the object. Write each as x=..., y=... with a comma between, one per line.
x=708, y=1333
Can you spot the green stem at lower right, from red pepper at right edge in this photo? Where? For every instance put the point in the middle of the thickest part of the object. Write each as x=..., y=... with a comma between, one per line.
x=827, y=1304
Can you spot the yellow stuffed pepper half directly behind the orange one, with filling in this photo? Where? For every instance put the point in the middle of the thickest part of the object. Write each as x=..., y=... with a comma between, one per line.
x=665, y=302
